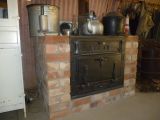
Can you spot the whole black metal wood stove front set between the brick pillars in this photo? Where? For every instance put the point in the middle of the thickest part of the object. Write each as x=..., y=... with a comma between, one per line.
x=97, y=64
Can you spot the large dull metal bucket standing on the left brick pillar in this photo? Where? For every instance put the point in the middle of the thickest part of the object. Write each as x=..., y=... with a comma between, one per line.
x=35, y=25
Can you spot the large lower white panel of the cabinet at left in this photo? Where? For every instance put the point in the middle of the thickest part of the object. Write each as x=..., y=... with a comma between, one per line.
x=11, y=81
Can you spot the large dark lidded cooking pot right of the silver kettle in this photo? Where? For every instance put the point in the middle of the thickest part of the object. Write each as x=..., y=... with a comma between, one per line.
x=113, y=24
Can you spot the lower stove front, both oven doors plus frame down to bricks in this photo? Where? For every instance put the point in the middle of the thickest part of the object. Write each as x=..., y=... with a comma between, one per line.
x=96, y=73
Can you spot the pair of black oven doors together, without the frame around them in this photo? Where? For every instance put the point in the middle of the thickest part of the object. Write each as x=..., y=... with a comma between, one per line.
x=97, y=68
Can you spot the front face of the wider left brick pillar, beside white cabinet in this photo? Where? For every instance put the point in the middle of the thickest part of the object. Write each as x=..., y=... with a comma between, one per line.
x=57, y=55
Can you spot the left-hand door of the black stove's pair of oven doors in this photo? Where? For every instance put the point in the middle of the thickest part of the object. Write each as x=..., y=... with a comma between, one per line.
x=88, y=69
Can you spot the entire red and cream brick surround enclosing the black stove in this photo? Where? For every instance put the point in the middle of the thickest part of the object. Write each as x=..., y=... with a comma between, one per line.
x=53, y=73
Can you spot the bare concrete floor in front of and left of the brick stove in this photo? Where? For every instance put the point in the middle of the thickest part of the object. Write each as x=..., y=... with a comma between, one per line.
x=142, y=106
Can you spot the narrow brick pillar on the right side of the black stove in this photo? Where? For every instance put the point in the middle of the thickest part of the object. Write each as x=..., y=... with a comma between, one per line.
x=131, y=51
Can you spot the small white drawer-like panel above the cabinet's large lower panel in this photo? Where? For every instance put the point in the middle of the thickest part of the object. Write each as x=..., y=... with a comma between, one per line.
x=8, y=37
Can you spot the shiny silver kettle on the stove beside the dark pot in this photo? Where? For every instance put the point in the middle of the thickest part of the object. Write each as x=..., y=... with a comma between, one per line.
x=92, y=25
